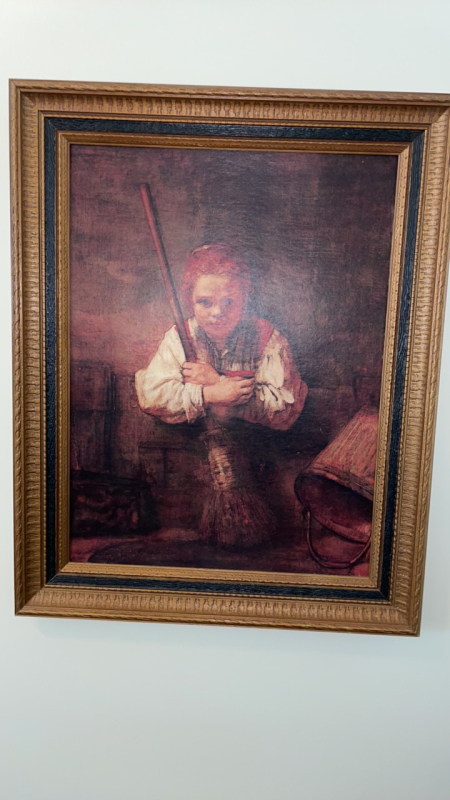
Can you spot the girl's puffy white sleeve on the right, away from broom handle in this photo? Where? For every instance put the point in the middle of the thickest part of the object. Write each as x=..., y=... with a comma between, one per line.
x=280, y=393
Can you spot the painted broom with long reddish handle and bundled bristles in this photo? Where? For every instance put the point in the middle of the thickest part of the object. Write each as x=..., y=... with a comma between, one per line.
x=234, y=513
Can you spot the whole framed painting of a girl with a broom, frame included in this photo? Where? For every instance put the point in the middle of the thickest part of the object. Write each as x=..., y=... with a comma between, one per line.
x=228, y=315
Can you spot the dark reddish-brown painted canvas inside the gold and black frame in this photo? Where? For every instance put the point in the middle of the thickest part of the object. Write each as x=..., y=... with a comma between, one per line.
x=257, y=453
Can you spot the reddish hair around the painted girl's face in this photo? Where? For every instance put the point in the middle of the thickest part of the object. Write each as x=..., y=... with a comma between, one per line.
x=213, y=259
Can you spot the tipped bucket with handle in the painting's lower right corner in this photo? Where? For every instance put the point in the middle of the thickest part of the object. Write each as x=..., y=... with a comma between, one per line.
x=336, y=489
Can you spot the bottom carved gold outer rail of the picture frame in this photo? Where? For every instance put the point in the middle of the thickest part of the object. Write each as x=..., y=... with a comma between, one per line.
x=144, y=605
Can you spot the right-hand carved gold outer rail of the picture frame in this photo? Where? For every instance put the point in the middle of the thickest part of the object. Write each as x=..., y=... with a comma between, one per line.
x=422, y=380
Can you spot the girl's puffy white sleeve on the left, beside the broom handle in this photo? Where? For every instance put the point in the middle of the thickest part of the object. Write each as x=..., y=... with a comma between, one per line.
x=160, y=388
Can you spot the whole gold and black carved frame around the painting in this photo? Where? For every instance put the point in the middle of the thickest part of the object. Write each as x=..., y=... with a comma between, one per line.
x=415, y=127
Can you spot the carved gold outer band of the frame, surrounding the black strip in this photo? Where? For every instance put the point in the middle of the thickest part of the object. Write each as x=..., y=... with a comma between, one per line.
x=29, y=430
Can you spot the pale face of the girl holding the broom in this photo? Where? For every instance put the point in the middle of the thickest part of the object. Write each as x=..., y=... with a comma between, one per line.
x=219, y=304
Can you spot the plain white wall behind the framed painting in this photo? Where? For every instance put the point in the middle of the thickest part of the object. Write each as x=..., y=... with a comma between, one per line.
x=92, y=710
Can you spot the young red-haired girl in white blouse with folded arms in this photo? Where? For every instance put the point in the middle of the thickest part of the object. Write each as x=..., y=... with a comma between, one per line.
x=244, y=368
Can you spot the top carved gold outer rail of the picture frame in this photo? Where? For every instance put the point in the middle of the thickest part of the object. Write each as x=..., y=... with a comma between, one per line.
x=231, y=104
